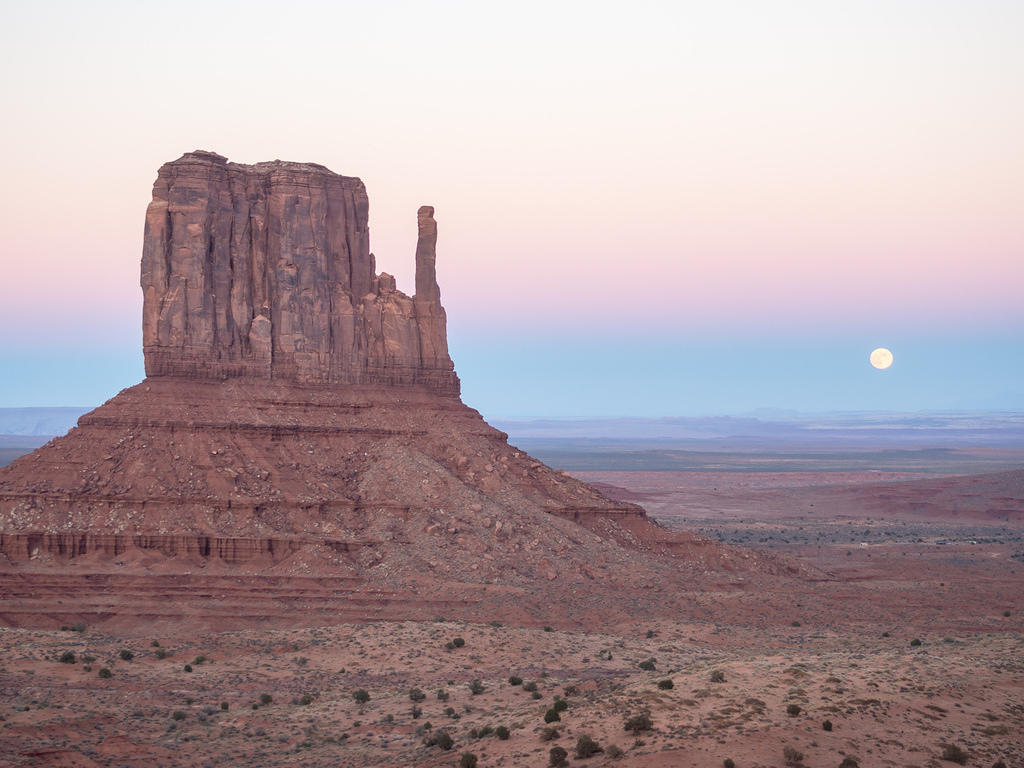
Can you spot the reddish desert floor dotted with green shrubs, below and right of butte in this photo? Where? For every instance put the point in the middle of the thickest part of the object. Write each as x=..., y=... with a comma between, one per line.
x=758, y=690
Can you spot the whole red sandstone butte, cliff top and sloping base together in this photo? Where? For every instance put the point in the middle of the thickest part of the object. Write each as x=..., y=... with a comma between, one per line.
x=300, y=454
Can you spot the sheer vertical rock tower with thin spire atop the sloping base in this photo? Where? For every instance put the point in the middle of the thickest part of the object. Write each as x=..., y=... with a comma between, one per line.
x=265, y=271
